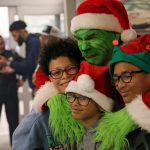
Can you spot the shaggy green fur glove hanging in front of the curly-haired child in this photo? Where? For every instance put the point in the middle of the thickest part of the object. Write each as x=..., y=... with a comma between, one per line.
x=61, y=122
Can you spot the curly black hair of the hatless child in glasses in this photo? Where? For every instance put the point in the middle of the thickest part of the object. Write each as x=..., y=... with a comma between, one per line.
x=64, y=47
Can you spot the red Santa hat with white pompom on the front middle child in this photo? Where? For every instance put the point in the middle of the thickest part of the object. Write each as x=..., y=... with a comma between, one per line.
x=96, y=87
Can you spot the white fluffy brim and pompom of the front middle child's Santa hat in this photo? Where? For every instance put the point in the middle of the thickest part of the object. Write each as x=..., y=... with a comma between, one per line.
x=85, y=86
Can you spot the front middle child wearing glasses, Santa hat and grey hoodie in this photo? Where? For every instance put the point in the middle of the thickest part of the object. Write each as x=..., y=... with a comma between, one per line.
x=87, y=102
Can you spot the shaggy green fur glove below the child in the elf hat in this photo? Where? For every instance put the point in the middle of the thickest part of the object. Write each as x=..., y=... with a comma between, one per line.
x=113, y=129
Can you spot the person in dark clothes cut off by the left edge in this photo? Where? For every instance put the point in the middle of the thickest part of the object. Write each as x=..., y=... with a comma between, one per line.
x=8, y=88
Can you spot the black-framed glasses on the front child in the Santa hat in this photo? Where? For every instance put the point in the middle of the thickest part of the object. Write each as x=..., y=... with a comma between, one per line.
x=82, y=100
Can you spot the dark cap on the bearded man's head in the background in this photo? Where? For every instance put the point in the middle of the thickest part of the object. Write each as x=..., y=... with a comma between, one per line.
x=17, y=25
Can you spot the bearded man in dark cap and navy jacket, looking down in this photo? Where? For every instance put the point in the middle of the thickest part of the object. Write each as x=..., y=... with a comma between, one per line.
x=32, y=43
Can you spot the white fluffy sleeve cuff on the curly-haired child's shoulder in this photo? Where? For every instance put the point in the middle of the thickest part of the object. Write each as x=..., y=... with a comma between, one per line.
x=43, y=94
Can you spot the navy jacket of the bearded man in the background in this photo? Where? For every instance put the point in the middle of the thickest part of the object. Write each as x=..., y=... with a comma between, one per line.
x=28, y=65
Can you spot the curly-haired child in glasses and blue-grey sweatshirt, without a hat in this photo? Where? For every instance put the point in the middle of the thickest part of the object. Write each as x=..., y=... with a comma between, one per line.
x=60, y=60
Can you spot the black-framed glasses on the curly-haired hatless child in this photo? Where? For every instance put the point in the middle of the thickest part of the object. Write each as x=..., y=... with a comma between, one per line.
x=58, y=73
